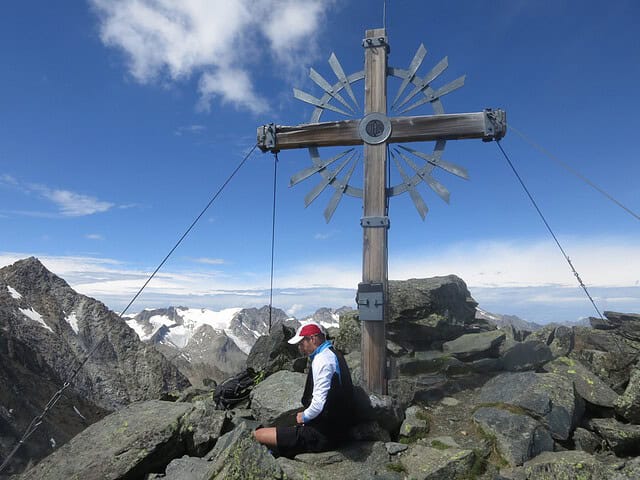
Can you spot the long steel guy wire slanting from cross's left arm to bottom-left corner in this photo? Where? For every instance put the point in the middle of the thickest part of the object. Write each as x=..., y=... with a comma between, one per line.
x=35, y=423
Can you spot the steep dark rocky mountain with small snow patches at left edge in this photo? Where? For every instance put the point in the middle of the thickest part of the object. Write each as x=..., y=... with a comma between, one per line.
x=47, y=332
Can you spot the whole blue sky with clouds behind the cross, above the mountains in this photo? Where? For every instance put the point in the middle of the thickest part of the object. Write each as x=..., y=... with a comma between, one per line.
x=119, y=119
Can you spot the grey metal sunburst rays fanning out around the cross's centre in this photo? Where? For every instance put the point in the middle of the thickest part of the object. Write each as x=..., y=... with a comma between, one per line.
x=414, y=167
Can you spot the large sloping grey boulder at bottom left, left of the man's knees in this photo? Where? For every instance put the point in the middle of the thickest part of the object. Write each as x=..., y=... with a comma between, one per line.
x=141, y=438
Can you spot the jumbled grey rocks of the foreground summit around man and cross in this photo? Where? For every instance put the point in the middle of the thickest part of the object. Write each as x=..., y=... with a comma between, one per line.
x=466, y=400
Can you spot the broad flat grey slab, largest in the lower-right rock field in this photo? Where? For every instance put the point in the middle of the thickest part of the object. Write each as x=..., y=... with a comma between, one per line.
x=543, y=395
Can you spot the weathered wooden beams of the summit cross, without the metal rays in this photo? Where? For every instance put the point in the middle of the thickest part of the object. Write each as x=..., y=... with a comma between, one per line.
x=375, y=130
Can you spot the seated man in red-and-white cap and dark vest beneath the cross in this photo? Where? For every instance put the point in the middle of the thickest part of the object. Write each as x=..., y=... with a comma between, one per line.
x=327, y=398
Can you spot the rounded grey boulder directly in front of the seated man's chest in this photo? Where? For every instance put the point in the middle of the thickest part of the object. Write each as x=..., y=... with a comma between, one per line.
x=276, y=400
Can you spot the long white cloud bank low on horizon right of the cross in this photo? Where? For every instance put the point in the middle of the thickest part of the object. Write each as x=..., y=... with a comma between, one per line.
x=600, y=261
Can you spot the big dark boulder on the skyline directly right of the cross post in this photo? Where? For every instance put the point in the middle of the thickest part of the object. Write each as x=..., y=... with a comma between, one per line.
x=428, y=310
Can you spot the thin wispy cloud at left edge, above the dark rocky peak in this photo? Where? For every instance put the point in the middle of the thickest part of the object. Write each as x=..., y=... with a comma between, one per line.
x=68, y=203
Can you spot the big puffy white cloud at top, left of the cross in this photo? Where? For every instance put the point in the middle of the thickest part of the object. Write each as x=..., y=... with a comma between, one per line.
x=172, y=40
